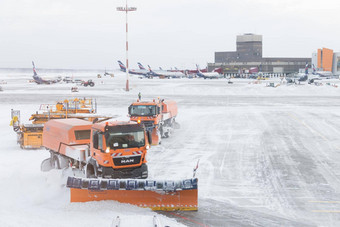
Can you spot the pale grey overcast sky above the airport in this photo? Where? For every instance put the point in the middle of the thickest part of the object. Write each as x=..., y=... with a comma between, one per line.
x=90, y=34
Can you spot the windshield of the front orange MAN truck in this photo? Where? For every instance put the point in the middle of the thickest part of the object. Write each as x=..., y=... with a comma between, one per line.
x=118, y=140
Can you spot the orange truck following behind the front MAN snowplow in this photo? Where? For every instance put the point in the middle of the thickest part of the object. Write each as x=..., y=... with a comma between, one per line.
x=158, y=117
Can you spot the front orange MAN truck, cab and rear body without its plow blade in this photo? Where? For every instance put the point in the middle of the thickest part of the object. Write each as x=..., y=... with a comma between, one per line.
x=115, y=149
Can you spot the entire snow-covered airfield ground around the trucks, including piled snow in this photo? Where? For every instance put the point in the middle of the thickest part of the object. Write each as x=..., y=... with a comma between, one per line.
x=268, y=156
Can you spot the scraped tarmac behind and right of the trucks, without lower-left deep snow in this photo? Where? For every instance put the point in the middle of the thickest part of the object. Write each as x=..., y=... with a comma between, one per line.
x=268, y=156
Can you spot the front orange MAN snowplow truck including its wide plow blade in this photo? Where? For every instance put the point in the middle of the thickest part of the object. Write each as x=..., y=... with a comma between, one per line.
x=103, y=152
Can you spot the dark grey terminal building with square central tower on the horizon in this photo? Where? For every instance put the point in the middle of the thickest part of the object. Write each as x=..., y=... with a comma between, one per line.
x=248, y=58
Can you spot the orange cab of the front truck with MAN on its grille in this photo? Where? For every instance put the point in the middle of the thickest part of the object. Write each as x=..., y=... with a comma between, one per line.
x=120, y=148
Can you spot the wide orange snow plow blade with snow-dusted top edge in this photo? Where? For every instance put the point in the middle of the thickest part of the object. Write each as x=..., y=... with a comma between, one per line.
x=157, y=195
